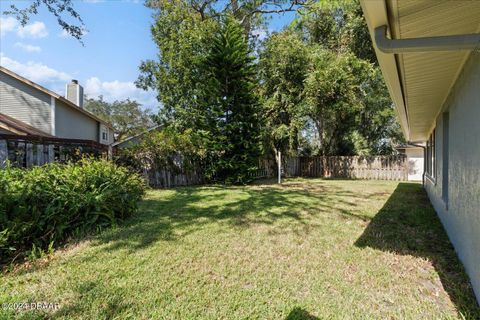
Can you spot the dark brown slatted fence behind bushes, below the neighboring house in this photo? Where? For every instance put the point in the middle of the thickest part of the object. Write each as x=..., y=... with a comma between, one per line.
x=28, y=151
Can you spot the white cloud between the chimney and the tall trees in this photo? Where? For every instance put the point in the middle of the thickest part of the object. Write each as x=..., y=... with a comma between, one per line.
x=118, y=90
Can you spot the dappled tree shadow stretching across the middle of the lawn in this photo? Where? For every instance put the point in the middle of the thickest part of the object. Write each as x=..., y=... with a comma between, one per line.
x=189, y=209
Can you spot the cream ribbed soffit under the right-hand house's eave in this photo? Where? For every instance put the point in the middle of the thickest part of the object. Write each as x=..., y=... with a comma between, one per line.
x=426, y=78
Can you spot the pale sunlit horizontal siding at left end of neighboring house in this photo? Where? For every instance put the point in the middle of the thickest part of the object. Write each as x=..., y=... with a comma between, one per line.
x=25, y=103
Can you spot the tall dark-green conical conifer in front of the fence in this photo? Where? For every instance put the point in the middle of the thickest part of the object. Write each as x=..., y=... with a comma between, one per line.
x=232, y=105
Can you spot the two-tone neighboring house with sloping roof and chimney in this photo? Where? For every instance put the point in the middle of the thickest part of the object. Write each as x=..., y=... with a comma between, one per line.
x=47, y=112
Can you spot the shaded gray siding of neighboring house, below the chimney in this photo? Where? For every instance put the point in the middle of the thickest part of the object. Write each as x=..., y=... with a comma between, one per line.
x=73, y=124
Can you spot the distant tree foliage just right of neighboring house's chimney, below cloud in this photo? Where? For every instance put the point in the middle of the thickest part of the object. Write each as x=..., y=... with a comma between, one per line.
x=127, y=117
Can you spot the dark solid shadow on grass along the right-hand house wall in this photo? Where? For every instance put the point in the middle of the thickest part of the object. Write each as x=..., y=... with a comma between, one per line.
x=408, y=225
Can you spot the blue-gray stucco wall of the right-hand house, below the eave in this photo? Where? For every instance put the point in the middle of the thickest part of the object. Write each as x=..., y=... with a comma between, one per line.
x=460, y=215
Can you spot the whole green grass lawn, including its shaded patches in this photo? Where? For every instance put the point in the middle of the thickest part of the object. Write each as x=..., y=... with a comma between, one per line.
x=326, y=249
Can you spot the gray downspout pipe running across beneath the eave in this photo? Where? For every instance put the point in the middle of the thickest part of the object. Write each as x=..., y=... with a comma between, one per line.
x=440, y=43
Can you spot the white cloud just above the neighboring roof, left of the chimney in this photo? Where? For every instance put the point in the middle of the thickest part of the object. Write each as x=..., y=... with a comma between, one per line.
x=35, y=71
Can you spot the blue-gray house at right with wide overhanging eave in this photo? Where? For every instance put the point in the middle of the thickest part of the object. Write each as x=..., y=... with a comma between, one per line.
x=435, y=85
